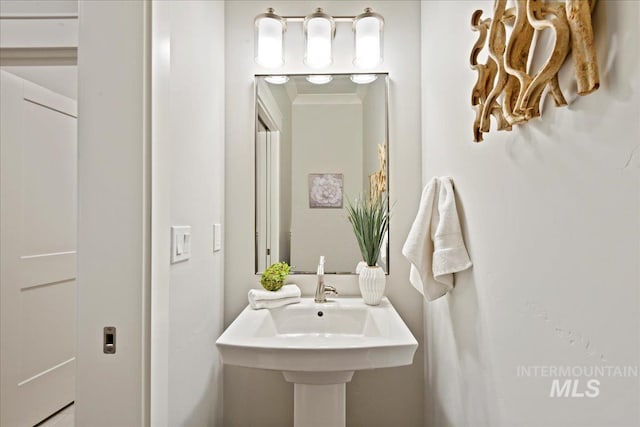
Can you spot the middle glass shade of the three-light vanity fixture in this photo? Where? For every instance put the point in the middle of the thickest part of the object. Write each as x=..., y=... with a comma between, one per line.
x=319, y=29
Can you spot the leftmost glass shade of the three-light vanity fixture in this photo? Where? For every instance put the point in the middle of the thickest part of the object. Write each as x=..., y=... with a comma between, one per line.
x=269, y=39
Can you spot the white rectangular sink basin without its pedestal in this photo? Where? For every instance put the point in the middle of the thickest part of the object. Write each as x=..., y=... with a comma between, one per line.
x=342, y=335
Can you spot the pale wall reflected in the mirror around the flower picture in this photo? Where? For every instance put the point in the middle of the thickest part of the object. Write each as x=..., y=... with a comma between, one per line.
x=321, y=148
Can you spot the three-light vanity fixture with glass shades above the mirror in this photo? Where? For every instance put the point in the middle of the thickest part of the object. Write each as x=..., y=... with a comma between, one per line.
x=319, y=30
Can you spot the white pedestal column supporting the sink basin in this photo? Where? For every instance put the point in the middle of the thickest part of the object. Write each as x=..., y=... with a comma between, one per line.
x=319, y=398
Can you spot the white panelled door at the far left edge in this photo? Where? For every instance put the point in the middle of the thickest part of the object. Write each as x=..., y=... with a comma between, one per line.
x=38, y=155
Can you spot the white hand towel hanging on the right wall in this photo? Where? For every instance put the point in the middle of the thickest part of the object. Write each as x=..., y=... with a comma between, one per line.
x=434, y=245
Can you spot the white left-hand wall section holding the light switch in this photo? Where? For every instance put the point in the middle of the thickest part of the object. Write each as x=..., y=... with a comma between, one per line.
x=188, y=189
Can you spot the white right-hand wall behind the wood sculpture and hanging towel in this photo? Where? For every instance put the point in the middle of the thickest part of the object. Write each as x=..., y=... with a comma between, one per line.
x=551, y=217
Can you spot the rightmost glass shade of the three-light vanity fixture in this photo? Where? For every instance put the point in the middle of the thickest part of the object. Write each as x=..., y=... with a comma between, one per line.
x=368, y=30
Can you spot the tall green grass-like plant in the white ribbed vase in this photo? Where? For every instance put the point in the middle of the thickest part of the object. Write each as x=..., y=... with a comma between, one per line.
x=370, y=221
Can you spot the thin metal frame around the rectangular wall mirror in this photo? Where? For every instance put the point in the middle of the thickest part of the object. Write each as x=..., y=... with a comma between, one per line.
x=385, y=75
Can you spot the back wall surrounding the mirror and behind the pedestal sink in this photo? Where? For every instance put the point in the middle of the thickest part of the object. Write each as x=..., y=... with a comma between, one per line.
x=374, y=398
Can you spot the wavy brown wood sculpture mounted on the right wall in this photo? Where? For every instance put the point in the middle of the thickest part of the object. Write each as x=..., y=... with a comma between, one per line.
x=505, y=88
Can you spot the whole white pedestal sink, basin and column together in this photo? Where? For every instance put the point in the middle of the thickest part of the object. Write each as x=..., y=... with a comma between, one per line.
x=318, y=347
